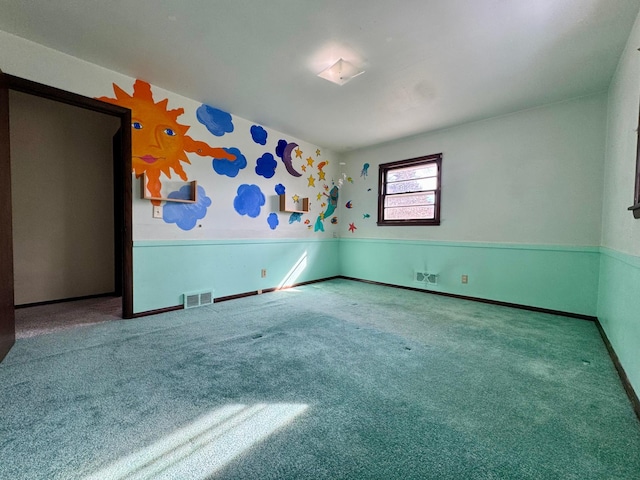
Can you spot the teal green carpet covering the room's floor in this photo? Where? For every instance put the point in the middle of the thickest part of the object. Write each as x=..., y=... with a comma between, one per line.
x=336, y=380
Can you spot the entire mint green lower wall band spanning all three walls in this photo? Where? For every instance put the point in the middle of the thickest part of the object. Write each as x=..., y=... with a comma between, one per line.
x=552, y=277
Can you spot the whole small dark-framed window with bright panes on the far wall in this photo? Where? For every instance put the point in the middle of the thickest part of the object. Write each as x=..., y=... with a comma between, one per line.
x=409, y=191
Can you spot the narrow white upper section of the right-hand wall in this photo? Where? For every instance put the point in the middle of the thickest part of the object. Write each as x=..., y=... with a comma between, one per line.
x=620, y=231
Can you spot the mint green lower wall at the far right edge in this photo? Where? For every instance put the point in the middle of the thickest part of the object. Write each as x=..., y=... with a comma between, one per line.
x=619, y=309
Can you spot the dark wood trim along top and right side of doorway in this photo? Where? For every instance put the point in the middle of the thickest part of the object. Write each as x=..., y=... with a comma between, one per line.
x=55, y=94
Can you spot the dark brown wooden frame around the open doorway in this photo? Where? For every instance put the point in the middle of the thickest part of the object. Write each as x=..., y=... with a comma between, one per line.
x=122, y=182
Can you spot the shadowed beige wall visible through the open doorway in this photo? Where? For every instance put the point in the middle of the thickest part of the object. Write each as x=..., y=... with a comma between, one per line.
x=62, y=190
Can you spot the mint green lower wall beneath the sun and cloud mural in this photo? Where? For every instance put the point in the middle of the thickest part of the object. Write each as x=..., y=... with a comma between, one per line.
x=164, y=270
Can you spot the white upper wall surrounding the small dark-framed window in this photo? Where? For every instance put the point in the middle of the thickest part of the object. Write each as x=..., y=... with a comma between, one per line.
x=532, y=177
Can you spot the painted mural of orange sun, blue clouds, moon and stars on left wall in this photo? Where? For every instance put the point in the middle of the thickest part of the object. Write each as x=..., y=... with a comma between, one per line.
x=161, y=147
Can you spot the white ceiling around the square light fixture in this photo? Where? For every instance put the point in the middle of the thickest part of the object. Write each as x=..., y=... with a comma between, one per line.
x=429, y=64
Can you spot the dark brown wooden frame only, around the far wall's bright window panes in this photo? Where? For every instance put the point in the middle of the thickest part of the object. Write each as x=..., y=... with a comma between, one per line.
x=382, y=172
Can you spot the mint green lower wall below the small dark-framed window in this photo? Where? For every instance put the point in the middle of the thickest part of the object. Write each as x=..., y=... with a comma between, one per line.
x=553, y=277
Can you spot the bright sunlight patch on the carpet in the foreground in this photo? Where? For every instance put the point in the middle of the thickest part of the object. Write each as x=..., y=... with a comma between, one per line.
x=205, y=445
